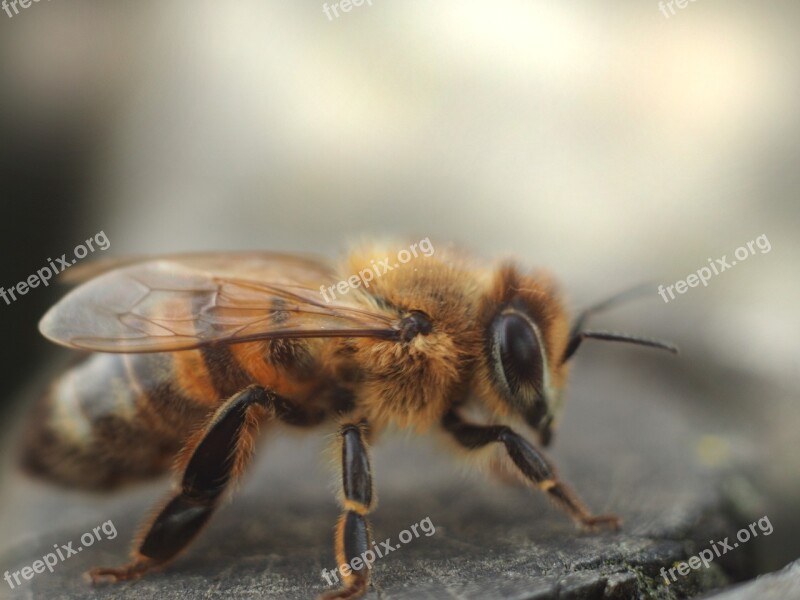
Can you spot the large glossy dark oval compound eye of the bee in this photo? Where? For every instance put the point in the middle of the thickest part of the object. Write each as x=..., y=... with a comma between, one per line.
x=519, y=354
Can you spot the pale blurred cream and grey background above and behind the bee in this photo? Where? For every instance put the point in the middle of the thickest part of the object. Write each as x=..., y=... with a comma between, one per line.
x=613, y=144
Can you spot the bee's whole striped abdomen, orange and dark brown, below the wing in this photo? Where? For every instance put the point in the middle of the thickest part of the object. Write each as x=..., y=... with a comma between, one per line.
x=123, y=417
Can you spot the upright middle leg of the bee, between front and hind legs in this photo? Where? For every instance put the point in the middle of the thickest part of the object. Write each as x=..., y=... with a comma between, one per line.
x=353, y=537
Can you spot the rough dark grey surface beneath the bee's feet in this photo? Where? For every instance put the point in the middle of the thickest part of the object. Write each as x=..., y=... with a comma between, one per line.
x=630, y=443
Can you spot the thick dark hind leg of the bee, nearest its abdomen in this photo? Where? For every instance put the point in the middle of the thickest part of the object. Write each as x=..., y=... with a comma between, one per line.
x=209, y=461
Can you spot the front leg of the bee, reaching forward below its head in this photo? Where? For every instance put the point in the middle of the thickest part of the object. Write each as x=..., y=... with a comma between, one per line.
x=531, y=463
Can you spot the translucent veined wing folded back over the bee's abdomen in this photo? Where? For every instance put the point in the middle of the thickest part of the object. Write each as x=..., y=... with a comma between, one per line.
x=192, y=300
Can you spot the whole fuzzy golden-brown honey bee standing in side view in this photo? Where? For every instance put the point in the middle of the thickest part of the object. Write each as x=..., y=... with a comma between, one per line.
x=195, y=352
